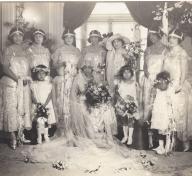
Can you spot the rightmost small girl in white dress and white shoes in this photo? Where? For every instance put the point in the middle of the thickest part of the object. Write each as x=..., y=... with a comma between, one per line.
x=162, y=113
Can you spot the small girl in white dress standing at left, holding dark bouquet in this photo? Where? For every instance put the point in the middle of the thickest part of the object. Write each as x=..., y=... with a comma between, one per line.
x=42, y=96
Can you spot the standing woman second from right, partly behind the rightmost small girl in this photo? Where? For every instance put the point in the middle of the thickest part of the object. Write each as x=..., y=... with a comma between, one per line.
x=153, y=63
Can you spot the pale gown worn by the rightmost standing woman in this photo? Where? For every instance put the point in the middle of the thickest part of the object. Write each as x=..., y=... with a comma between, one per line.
x=182, y=101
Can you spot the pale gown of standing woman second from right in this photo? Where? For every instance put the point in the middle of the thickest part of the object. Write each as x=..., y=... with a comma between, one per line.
x=154, y=64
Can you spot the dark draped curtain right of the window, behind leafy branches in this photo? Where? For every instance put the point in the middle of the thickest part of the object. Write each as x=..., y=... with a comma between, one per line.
x=141, y=11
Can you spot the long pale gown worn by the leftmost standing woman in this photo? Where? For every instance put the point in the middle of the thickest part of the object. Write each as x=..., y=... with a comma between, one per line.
x=15, y=100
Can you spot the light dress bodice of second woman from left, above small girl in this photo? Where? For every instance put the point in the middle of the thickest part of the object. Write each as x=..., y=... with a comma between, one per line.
x=39, y=56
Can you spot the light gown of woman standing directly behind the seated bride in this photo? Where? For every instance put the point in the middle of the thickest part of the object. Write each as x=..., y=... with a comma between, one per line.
x=94, y=56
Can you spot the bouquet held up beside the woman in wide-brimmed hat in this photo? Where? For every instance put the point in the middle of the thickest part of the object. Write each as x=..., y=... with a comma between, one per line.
x=134, y=52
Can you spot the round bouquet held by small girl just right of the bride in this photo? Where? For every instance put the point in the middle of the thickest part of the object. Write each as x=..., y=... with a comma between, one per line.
x=126, y=106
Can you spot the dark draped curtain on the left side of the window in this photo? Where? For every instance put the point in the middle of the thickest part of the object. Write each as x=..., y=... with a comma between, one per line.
x=76, y=13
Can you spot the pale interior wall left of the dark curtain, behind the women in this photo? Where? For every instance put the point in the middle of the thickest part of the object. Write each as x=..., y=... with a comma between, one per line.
x=45, y=15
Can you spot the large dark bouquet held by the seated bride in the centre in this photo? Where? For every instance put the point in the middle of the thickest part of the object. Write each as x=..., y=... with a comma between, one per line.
x=96, y=94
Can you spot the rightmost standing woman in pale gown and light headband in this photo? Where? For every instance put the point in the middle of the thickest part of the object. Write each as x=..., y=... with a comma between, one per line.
x=176, y=62
